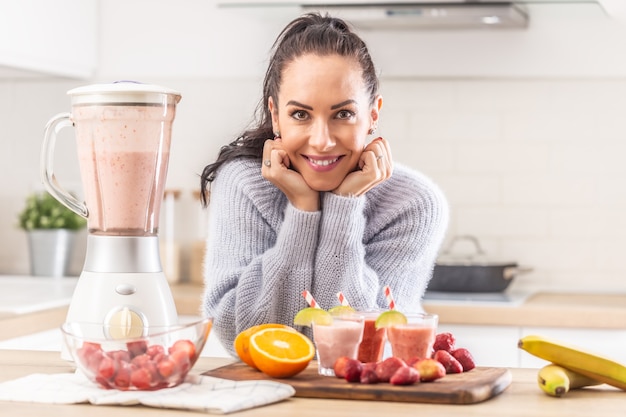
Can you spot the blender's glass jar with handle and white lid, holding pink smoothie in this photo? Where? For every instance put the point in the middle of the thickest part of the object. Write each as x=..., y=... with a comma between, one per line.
x=123, y=132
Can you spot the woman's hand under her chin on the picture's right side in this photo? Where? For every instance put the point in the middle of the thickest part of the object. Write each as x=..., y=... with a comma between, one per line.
x=375, y=166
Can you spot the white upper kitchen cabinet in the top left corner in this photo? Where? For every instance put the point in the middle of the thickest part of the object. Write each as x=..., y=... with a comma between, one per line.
x=41, y=38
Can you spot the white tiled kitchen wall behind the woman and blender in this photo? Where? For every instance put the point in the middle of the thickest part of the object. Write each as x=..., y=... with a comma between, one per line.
x=522, y=129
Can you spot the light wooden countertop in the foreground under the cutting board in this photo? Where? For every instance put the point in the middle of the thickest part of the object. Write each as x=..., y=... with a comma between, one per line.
x=523, y=398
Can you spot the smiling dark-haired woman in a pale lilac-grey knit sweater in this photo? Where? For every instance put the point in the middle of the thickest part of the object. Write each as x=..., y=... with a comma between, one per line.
x=316, y=208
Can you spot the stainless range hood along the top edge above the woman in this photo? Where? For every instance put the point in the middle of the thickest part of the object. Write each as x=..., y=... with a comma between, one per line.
x=444, y=14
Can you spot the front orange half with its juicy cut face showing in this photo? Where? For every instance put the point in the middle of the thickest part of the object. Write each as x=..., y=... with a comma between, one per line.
x=281, y=353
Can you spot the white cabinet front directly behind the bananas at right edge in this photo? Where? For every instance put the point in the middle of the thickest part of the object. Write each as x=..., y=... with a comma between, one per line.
x=607, y=343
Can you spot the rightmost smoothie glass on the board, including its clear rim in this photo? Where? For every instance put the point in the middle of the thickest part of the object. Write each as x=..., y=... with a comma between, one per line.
x=414, y=339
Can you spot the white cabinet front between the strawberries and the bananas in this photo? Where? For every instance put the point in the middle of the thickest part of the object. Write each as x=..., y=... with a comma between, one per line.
x=494, y=346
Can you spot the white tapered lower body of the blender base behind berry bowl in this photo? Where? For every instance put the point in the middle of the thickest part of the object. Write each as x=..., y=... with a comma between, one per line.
x=98, y=296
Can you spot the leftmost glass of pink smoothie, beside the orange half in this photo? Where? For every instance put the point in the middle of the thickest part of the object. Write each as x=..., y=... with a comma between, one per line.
x=339, y=338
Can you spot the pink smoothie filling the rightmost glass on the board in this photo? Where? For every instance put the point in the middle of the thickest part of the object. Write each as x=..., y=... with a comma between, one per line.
x=411, y=340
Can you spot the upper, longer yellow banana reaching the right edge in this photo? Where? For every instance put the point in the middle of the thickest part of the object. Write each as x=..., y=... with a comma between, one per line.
x=577, y=360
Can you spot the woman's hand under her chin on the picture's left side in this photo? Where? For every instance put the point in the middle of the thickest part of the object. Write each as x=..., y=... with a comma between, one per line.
x=276, y=169
